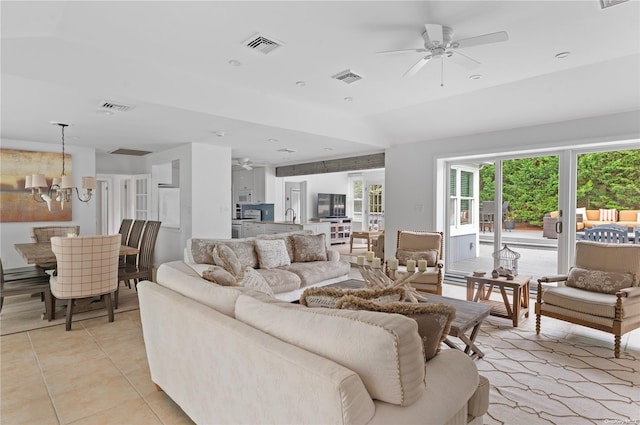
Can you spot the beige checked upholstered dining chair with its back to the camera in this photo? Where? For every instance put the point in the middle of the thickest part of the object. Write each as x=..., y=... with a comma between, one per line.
x=87, y=267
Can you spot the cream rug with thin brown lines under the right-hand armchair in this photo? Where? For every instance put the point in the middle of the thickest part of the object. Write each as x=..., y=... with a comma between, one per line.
x=566, y=375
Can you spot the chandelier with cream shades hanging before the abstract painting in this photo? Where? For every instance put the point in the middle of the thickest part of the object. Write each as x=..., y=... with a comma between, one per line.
x=61, y=188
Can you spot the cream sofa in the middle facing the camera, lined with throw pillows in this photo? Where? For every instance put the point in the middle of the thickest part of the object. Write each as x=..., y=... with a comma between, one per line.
x=287, y=282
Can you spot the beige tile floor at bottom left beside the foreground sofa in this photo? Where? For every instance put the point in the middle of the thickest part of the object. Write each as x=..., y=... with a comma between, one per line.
x=97, y=373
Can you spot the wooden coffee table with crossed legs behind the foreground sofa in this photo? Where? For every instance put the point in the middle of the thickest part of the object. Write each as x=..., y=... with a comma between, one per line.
x=465, y=327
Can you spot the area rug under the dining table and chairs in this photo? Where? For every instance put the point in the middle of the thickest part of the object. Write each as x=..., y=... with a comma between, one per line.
x=24, y=313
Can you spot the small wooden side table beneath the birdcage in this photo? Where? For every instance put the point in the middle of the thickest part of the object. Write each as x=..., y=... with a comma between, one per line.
x=511, y=310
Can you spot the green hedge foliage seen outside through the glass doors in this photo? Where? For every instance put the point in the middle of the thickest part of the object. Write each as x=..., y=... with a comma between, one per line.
x=605, y=180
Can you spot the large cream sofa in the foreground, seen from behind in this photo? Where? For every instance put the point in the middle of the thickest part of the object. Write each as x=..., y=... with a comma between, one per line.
x=234, y=355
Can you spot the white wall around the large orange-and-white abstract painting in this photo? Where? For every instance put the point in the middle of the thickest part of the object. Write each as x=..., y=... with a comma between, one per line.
x=84, y=214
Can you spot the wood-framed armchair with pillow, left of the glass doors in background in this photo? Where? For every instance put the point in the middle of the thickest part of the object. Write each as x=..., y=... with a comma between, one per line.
x=421, y=245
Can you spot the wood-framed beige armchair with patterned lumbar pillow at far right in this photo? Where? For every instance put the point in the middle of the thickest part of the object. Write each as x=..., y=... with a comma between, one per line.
x=601, y=291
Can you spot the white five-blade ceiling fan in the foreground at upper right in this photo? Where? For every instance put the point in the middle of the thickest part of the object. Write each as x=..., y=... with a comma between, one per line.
x=438, y=44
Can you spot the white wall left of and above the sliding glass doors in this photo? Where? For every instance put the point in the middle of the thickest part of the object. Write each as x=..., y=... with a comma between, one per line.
x=410, y=169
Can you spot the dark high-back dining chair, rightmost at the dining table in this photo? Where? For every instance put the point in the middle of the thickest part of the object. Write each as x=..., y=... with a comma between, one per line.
x=142, y=269
